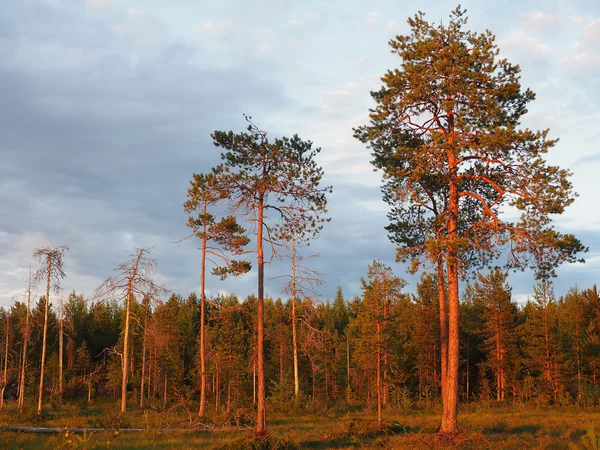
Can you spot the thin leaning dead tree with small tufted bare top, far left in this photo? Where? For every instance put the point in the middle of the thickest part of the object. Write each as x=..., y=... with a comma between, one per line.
x=51, y=270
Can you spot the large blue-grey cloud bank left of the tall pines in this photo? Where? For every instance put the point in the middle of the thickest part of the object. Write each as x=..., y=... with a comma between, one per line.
x=105, y=149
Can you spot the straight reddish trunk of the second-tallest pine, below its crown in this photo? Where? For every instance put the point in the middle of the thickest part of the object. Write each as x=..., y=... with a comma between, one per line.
x=261, y=421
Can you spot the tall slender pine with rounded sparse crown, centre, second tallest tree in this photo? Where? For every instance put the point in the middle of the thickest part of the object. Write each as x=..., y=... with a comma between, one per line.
x=279, y=176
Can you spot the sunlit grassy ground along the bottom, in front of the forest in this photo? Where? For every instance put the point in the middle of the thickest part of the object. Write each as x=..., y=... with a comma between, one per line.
x=481, y=428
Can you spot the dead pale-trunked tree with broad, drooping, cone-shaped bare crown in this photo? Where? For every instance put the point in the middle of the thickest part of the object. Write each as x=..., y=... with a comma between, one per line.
x=133, y=278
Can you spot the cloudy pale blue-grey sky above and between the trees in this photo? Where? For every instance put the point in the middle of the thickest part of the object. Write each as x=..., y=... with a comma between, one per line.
x=106, y=110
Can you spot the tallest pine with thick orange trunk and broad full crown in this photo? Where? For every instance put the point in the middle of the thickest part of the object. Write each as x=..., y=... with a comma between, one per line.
x=446, y=134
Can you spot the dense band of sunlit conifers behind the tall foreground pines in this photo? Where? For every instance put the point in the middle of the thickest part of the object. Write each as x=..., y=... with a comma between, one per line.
x=545, y=351
